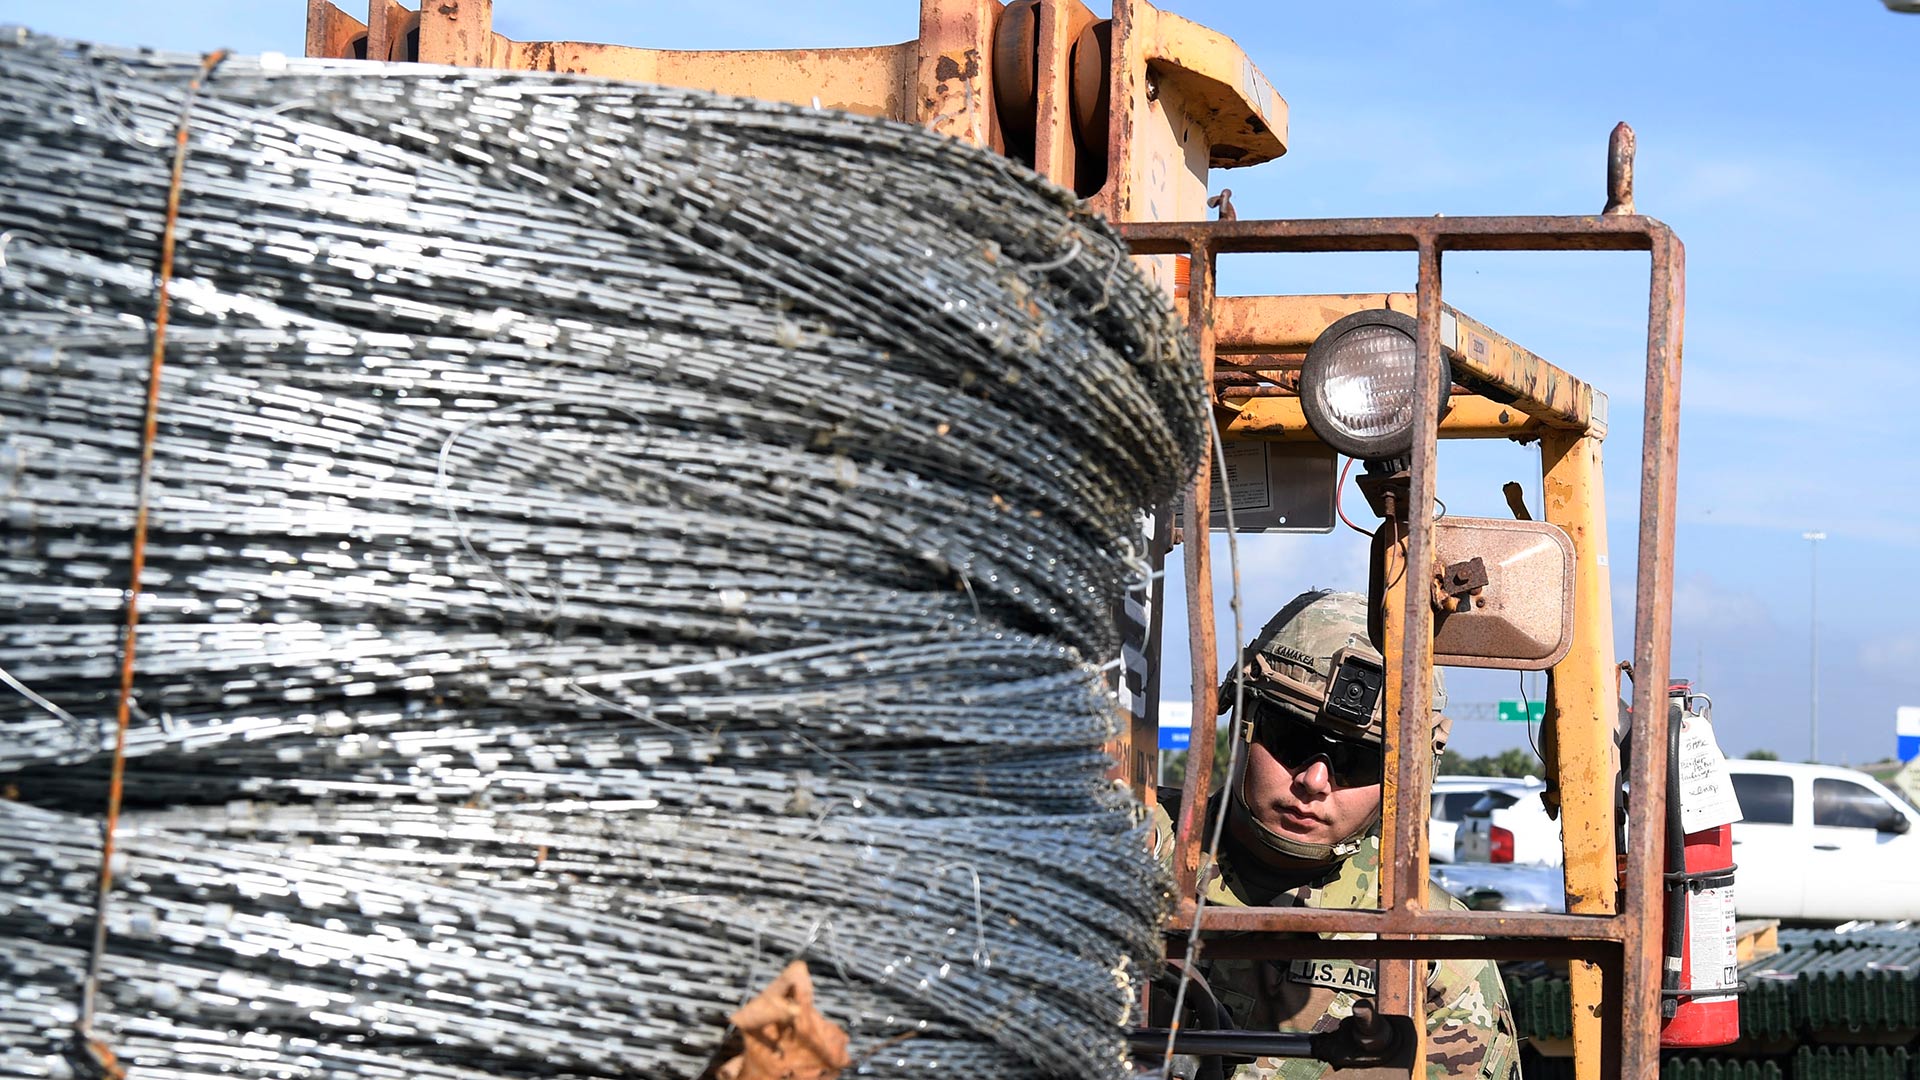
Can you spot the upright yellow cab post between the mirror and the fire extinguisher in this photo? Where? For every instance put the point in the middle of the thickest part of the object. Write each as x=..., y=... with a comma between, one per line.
x=1583, y=706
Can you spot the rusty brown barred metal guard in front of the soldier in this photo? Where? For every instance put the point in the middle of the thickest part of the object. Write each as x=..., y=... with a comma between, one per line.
x=1625, y=946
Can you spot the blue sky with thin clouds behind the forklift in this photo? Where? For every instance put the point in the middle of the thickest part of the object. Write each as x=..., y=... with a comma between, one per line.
x=1779, y=139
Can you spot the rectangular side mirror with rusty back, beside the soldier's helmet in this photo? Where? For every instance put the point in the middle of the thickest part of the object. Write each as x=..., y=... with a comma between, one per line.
x=1524, y=614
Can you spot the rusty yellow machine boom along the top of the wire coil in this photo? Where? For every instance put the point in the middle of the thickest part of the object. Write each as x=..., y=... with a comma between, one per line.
x=1186, y=97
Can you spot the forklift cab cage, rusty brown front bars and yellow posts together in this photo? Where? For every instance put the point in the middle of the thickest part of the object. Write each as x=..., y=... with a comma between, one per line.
x=1616, y=946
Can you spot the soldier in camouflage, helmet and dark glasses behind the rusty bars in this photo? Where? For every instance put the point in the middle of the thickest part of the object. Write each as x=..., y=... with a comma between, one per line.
x=1305, y=831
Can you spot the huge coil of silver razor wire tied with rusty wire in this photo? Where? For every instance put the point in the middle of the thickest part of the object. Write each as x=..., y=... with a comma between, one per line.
x=606, y=543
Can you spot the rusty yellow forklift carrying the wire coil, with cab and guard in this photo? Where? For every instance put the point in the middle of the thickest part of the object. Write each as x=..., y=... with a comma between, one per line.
x=1134, y=112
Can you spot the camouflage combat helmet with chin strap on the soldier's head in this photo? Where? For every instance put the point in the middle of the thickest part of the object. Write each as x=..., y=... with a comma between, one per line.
x=1316, y=666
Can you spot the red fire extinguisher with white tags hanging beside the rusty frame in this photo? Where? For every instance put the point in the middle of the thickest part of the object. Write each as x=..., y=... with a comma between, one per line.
x=1700, y=981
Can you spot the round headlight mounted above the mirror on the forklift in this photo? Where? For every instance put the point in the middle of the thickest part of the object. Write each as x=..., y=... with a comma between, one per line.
x=1356, y=387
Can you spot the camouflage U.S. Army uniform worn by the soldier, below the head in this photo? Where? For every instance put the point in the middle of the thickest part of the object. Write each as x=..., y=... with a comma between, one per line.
x=1470, y=1031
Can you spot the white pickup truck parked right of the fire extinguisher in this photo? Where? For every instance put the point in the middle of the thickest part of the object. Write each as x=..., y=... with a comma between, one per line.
x=1823, y=845
